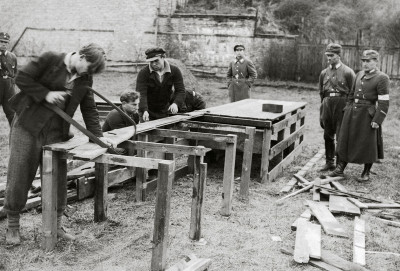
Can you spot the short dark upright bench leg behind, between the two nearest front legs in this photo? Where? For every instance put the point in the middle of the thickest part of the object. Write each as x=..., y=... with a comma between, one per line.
x=100, y=192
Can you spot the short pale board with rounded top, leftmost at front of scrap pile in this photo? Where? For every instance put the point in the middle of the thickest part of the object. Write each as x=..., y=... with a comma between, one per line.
x=301, y=248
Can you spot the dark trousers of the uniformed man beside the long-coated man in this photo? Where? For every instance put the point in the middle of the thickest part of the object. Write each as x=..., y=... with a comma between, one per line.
x=331, y=115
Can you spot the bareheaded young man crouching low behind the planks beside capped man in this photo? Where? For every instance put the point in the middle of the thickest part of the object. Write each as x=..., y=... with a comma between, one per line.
x=130, y=103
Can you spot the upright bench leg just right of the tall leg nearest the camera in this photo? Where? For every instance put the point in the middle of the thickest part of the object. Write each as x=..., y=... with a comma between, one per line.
x=199, y=179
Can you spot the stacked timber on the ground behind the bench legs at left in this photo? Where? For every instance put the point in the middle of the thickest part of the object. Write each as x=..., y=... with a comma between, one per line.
x=81, y=185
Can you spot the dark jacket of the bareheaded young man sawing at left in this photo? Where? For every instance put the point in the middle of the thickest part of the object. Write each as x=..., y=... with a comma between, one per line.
x=49, y=73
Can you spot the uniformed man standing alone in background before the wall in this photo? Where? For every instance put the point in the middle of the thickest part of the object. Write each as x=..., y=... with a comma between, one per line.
x=241, y=75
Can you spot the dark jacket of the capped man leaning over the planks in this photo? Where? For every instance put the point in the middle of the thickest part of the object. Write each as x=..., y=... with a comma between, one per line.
x=155, y=96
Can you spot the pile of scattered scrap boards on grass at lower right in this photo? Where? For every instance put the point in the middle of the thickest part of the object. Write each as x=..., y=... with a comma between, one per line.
x=329, y=197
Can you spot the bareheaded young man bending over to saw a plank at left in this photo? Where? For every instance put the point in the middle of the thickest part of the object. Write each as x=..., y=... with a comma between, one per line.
x=63, y=80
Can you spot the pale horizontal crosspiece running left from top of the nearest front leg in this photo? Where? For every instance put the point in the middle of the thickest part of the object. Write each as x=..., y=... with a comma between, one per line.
x=128, y=161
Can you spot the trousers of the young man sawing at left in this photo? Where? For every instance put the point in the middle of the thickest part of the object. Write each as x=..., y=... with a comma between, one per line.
x=25, y=158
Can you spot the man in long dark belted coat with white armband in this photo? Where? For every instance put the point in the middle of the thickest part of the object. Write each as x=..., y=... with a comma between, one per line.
x=360, y=138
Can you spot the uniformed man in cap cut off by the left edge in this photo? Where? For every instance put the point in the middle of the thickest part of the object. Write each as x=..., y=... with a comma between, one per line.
x=8, y=71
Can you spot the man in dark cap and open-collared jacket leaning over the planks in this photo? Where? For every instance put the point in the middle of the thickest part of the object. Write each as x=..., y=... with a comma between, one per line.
x=155, y=83
